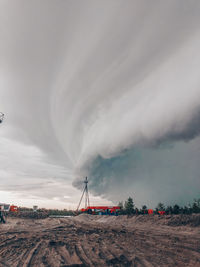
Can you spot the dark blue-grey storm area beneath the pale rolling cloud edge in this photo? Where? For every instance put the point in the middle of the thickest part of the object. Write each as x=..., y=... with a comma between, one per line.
x=167, y=173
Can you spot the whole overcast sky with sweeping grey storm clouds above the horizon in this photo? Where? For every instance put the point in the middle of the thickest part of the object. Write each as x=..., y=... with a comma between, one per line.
x=104, y=89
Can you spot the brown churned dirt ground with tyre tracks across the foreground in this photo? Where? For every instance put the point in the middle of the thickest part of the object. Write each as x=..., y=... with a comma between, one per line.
x=89, y=240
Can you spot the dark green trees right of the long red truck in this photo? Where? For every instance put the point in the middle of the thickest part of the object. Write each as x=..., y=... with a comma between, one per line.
x=128, y=208
